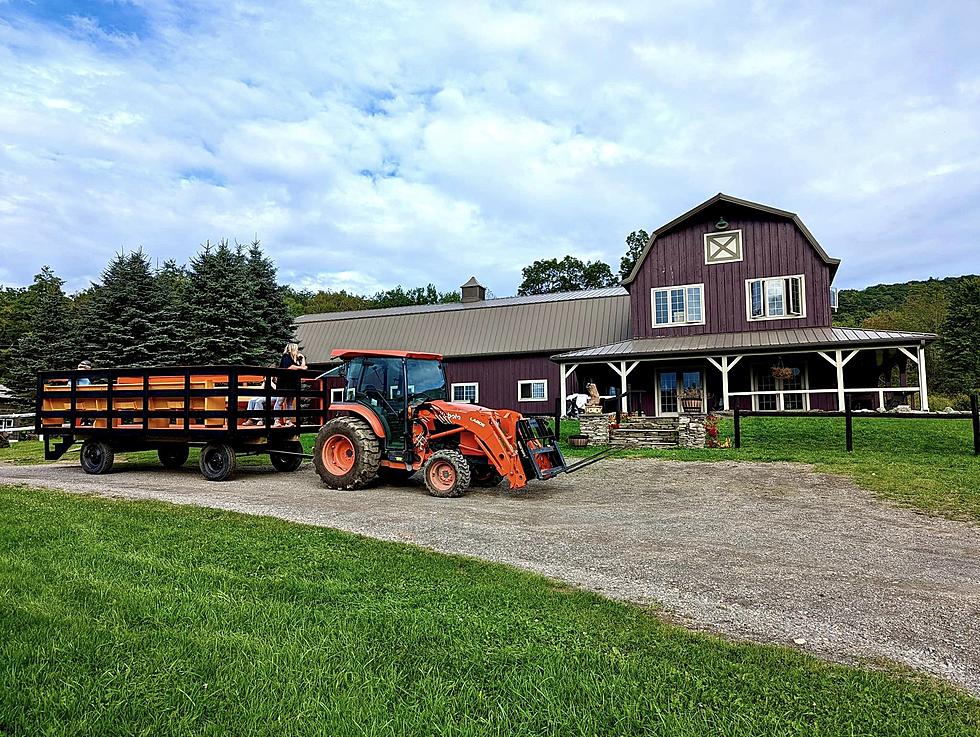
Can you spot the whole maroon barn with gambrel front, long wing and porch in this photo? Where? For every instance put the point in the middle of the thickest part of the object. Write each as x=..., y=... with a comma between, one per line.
x=729, y=305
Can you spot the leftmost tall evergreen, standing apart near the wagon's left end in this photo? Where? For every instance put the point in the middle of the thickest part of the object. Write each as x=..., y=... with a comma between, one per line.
x=48, y=340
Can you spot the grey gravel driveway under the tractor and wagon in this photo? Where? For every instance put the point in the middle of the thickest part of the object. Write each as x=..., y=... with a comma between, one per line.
x=762, y=552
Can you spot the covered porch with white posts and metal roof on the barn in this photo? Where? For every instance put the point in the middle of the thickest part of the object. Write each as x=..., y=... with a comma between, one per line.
x=780, y=370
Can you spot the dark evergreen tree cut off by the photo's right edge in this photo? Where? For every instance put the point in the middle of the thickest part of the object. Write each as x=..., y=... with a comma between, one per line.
x=961, y=348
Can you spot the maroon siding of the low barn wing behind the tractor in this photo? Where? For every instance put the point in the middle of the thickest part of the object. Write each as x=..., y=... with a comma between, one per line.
x=498, y=377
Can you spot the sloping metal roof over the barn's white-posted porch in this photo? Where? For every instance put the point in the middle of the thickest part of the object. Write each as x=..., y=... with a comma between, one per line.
x=756, y=341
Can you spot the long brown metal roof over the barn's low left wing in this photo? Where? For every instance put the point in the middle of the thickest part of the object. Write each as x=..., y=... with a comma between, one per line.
x=540, y=323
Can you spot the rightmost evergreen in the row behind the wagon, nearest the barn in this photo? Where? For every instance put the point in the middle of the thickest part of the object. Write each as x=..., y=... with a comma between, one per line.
x=274, y=325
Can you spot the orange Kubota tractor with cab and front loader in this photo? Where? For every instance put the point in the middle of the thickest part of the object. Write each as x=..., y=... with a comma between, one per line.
x=395, y=420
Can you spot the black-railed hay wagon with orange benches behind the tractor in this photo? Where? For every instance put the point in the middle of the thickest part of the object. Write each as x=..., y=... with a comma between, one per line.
x=173, y=409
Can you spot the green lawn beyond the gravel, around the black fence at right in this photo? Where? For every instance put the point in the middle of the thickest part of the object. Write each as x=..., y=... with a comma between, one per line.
x=926, y=464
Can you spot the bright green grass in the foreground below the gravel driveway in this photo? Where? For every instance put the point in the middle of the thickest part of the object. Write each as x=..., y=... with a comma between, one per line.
x=144, y=618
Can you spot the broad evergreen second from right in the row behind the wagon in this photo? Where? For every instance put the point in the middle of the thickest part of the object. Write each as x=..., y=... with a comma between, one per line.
x=221, y=309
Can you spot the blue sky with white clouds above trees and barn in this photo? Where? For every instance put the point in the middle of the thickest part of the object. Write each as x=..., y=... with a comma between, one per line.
x=374, y=144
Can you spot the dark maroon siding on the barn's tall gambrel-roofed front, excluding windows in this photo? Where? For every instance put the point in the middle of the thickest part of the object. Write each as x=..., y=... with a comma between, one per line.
x=771, y=247
